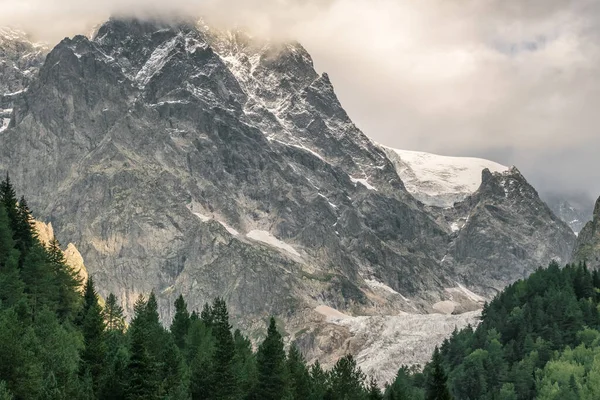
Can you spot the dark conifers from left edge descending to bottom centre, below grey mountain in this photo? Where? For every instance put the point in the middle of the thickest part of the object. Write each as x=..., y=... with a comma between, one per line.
x=58, y=342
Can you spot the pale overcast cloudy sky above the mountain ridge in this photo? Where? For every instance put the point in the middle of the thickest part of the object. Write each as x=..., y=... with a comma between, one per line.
x=516, y=81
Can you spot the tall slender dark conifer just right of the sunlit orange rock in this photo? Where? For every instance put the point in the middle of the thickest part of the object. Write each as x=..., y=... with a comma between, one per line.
x=92, y=328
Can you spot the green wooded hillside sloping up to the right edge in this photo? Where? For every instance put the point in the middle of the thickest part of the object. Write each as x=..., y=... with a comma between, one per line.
x=522, y=347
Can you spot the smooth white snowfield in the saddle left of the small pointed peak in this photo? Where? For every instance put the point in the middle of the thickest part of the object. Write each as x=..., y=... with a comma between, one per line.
x=437, y=180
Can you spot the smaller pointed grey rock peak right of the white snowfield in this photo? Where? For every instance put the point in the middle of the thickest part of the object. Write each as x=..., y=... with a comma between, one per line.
x=504, y=231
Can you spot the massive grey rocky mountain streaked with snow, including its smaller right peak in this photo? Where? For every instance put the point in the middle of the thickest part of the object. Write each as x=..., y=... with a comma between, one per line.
x=187, y=160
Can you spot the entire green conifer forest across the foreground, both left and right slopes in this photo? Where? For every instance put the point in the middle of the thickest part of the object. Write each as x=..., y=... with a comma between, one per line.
x=538, y=339
